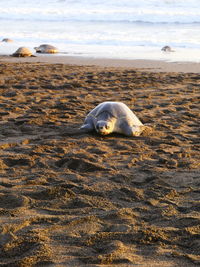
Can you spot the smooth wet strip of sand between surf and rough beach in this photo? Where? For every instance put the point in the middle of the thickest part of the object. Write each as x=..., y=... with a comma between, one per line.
x=139, y=64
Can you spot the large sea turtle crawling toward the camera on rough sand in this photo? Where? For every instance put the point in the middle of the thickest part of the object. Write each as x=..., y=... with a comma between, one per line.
x=109, y=117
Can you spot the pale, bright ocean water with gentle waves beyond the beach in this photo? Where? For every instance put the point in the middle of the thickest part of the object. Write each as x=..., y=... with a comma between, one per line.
x=127, y=29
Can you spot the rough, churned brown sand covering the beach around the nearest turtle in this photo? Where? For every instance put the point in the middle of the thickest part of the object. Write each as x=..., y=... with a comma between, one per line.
x=74, y=199
